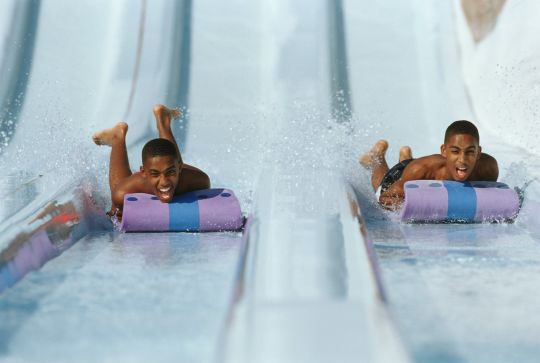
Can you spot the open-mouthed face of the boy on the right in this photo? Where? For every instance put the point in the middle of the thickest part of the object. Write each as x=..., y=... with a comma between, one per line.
x=461, y=152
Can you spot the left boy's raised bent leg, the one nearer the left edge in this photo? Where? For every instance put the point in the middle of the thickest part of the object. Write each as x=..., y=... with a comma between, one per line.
x=119, y=163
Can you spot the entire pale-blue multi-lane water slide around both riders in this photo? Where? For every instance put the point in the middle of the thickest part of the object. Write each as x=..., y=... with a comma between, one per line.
x=280, y=98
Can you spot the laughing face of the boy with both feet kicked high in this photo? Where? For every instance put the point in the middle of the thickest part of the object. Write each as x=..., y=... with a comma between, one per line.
x=163, y=173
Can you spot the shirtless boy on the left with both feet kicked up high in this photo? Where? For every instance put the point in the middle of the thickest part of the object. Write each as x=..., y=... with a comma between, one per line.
x=162, y=173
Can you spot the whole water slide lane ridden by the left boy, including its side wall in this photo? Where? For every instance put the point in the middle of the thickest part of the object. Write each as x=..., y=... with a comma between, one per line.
x=142, y=297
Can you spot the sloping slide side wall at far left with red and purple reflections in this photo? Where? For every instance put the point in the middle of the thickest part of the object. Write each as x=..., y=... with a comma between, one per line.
x=45, y=228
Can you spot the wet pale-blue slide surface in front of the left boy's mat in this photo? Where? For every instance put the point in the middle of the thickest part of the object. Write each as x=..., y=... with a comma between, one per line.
x=158, y=297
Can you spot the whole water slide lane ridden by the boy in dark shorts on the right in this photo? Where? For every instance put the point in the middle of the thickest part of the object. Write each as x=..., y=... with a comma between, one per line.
x=458, y=293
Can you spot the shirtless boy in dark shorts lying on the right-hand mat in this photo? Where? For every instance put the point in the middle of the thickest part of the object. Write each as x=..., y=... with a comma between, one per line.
x=461, y=159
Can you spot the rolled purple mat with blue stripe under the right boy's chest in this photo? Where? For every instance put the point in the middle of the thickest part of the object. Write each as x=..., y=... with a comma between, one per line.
x=452, y=201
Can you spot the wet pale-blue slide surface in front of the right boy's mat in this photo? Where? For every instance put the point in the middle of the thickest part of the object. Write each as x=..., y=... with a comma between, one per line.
x=462, y=293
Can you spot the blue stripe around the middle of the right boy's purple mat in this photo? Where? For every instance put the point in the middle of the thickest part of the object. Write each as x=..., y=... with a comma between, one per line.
x=461, y=200
